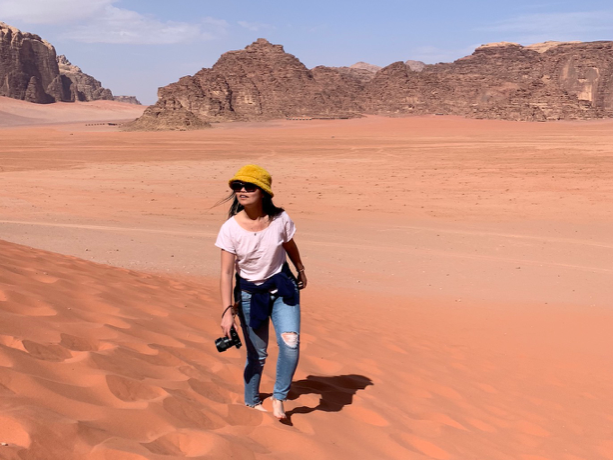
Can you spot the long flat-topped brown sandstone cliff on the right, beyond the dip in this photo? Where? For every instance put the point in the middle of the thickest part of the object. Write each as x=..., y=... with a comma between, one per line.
x=504, y=80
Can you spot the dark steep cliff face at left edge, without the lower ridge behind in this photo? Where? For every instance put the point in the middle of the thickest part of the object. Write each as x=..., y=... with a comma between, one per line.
x=28, y=67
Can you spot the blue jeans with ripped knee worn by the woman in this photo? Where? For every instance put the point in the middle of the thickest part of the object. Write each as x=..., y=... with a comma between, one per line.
x=286, y=321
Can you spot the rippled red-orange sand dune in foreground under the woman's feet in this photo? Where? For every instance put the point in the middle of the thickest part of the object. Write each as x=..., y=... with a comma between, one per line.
x=106, y=363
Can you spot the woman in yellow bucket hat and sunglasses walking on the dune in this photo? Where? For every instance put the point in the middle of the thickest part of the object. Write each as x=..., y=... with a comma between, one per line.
x=255, y=241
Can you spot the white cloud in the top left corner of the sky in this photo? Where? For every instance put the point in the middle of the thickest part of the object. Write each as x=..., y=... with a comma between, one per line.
x=50, y=11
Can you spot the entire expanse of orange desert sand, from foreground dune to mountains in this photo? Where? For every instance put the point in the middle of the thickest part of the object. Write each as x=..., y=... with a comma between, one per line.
x=459, y=299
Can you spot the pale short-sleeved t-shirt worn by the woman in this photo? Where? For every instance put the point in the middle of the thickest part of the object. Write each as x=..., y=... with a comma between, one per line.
x=259, y=255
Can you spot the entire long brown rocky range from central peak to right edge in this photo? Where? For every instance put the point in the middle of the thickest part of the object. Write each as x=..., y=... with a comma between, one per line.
x=547, y=81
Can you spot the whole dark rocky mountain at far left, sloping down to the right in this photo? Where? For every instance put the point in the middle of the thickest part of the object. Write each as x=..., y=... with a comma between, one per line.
x=31, y=71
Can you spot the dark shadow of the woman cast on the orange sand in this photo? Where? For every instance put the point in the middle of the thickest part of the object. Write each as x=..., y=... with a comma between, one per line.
x=335, y=392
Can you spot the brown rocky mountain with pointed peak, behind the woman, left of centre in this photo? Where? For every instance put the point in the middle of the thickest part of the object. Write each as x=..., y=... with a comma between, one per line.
x=260, y=82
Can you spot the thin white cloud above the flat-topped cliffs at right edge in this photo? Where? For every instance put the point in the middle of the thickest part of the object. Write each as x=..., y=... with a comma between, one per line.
x=555, y=26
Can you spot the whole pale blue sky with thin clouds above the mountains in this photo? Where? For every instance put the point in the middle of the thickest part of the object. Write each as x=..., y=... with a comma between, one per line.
x=135, y=46
